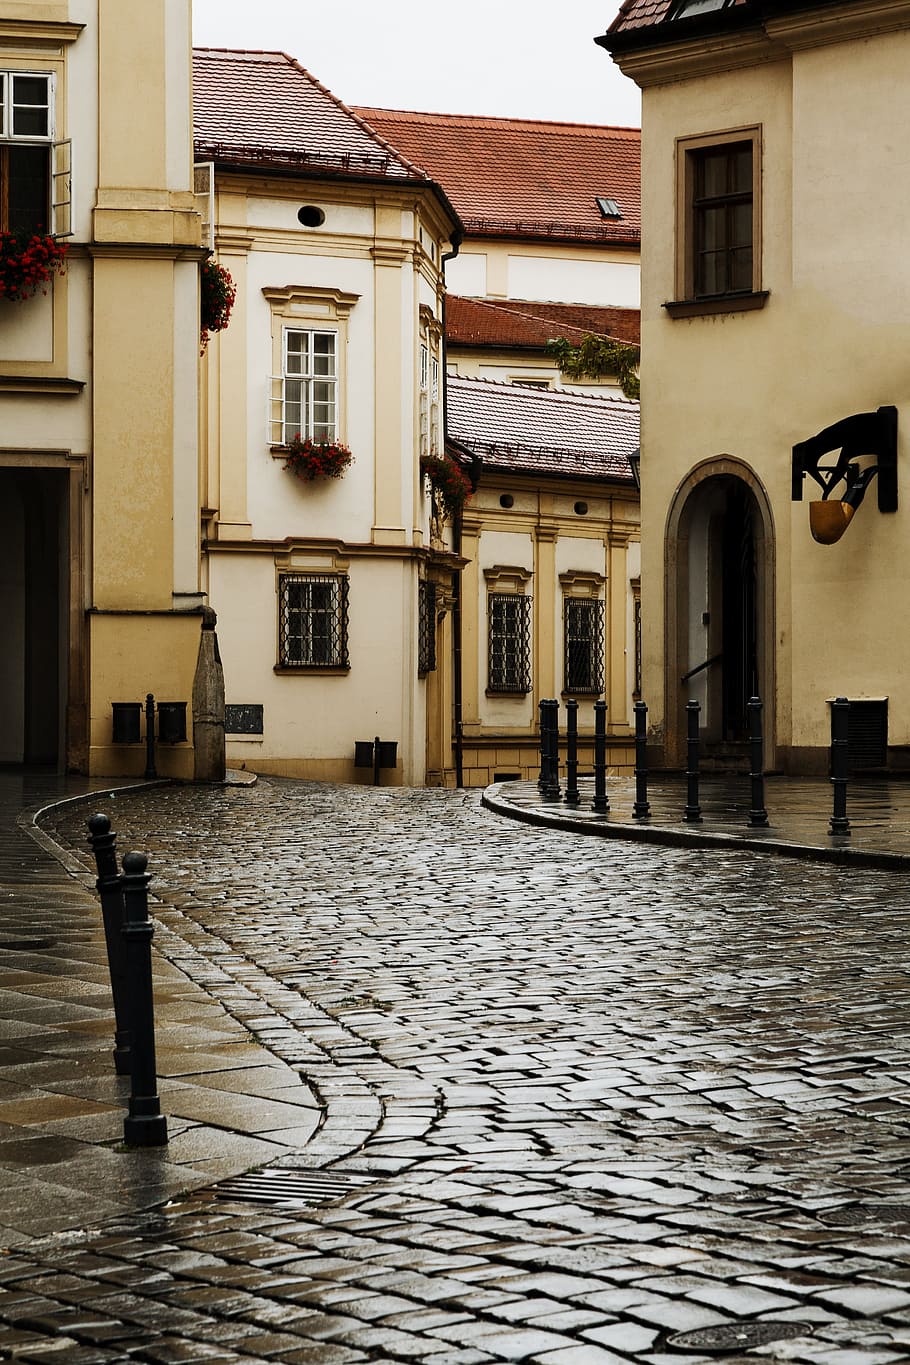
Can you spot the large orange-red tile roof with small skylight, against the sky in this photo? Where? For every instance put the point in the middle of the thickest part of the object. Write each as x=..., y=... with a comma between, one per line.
x=523, y=177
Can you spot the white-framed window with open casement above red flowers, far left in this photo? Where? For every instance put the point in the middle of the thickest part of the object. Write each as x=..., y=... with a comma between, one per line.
x=35, y=170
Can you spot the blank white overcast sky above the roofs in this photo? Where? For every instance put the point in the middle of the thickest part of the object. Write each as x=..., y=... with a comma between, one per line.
x=522, y=59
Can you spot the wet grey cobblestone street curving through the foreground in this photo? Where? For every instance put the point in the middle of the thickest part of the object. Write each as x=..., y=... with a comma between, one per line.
x=609, y=1102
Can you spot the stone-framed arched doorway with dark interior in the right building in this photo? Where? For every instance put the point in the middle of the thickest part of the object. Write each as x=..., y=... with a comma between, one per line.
x=720, y=604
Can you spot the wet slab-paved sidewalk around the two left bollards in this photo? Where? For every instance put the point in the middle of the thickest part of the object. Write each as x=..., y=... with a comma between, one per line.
x=230, y=1104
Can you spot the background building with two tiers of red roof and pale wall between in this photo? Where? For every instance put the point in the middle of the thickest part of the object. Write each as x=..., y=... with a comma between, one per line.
x=552, y=216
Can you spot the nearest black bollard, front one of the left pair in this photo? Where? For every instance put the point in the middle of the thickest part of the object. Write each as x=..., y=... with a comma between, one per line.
x=145, y=1125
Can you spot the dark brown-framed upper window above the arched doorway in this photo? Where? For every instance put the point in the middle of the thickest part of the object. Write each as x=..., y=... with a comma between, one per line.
x=720, y=223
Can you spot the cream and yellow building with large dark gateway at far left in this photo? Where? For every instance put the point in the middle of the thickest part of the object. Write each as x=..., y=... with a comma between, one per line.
x=99, y=483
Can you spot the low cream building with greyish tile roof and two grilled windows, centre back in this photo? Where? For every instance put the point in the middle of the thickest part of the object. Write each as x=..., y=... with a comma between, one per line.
x=551, y=590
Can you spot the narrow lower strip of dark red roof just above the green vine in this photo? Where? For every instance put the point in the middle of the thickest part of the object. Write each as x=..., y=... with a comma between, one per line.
x=516, y=324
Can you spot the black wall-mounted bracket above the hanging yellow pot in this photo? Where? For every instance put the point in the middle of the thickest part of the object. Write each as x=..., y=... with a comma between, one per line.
x=867, y=444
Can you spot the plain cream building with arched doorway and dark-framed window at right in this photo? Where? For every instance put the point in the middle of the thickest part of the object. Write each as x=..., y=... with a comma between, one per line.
x=776, y=305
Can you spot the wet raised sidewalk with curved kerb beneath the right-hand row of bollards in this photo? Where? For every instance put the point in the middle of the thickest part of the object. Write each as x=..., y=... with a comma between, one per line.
x=799, y=816
